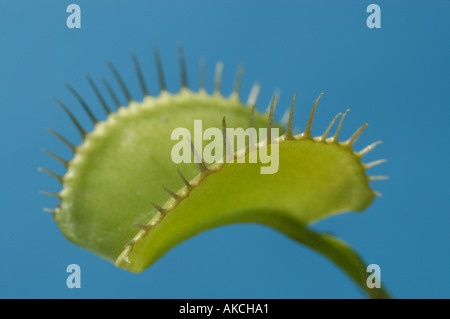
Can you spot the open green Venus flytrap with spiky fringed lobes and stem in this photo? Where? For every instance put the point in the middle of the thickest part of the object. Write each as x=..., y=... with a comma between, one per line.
x=124, y=198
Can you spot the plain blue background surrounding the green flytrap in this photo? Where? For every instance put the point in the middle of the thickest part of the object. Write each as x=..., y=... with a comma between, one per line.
x=396, y=78
